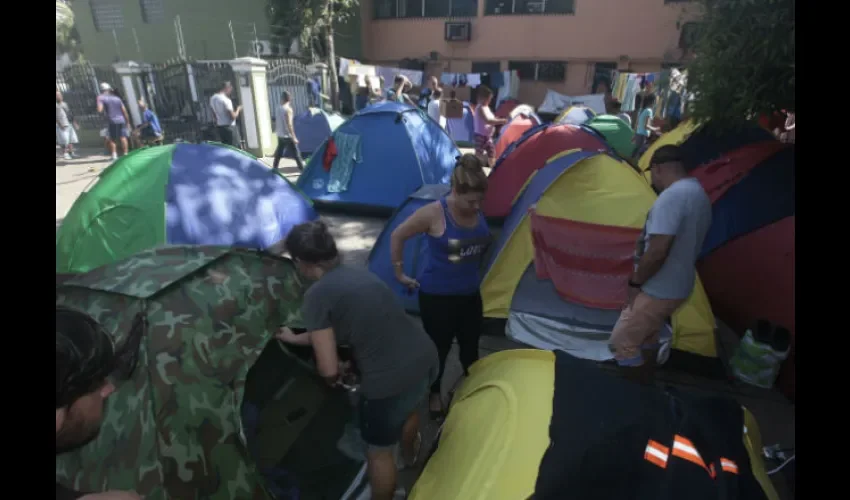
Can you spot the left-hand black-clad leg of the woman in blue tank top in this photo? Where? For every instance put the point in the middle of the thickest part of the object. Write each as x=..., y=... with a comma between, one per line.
x=435, y=311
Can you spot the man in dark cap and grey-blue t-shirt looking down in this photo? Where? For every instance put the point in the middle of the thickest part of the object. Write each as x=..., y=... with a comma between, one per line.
x=665, y=256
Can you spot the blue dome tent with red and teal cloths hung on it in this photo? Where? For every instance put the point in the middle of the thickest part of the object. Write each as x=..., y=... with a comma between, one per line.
x=383, y=154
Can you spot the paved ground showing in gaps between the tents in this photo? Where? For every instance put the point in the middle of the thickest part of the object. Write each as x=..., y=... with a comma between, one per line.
x=355, y=237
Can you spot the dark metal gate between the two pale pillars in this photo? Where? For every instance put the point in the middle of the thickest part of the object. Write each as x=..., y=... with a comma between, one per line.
x=180, y=92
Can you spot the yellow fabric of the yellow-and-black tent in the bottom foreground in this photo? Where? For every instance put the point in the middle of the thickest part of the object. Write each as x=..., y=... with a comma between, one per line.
x=497, y=431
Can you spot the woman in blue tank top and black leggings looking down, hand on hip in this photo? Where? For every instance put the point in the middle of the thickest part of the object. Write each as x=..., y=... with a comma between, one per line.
x=449, y=296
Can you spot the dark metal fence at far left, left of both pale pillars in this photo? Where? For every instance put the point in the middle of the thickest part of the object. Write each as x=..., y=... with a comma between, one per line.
x=80, y=86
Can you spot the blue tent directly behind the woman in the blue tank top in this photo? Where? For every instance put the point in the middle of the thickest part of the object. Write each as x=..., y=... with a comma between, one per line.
x=415, y=250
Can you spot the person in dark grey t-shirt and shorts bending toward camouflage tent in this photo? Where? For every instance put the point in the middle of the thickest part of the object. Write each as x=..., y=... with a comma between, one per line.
x=397, y=362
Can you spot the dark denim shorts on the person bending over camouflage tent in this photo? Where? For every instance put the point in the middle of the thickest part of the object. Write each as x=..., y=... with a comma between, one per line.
x=382, y=420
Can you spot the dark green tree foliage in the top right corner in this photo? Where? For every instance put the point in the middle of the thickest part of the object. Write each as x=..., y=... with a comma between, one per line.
x=744, y=59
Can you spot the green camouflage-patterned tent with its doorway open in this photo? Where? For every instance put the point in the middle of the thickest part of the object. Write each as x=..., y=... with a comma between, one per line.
x=176, y=428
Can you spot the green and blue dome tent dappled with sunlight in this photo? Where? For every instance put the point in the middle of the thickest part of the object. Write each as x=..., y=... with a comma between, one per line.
x=178, y=194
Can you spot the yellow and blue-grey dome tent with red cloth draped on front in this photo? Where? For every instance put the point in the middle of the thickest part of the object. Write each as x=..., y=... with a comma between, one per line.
x=595, y=201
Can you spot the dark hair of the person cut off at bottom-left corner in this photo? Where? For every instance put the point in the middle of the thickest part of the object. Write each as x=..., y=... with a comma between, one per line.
x=85, y=355
